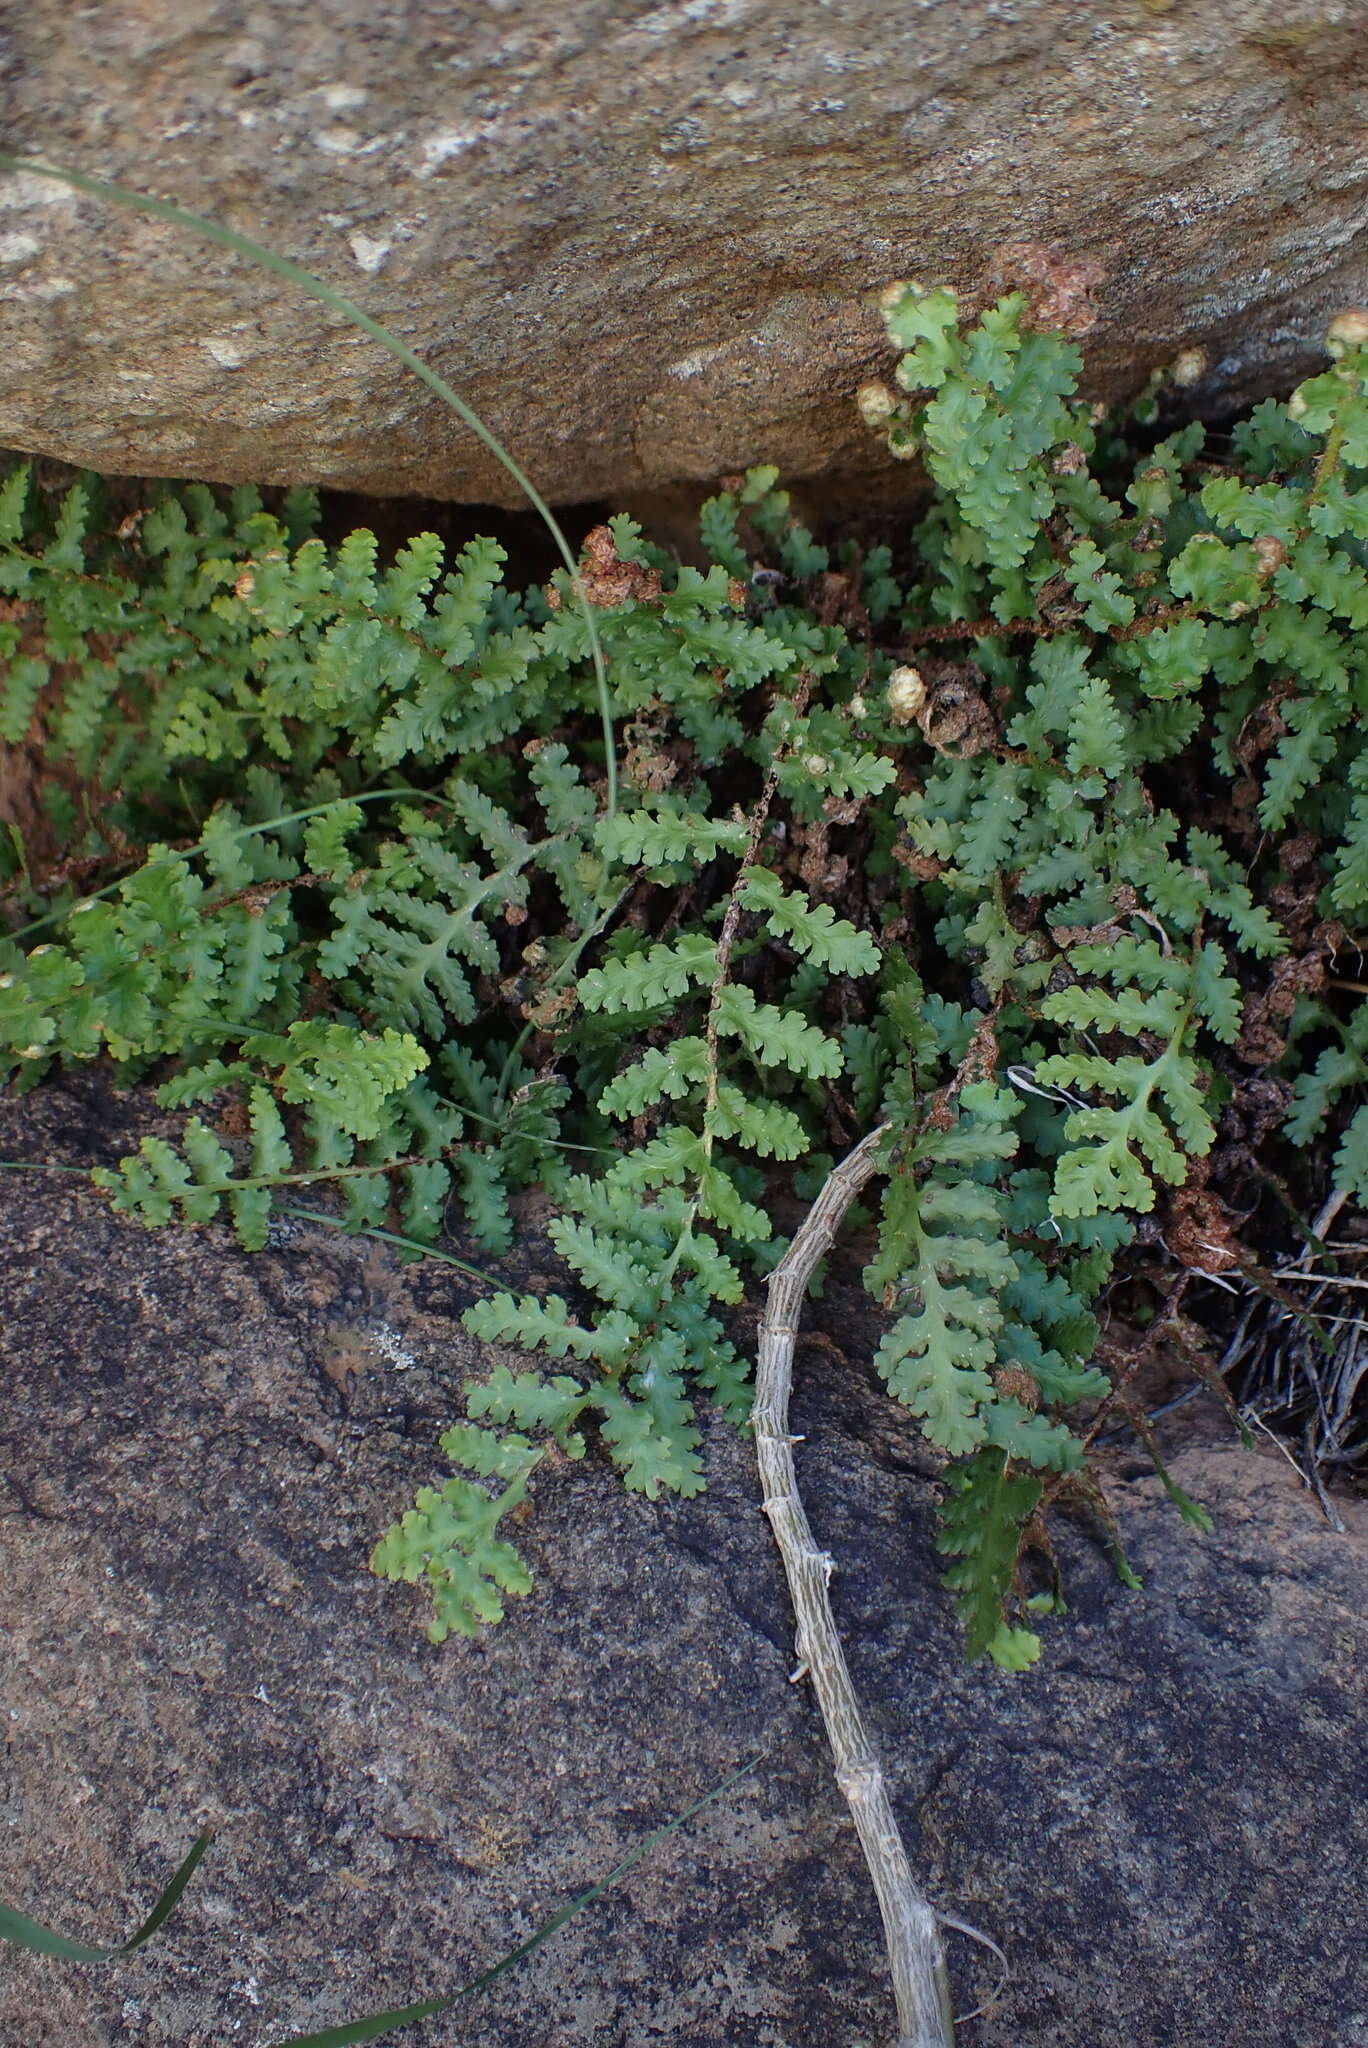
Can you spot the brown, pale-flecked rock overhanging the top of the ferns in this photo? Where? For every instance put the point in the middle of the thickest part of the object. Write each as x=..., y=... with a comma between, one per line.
x=644, y=237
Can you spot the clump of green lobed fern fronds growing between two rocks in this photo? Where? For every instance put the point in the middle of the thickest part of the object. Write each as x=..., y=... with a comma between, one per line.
x=1039, y=845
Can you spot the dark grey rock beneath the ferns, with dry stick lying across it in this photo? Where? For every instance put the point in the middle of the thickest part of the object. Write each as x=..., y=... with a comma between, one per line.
x=1164, y=1826
